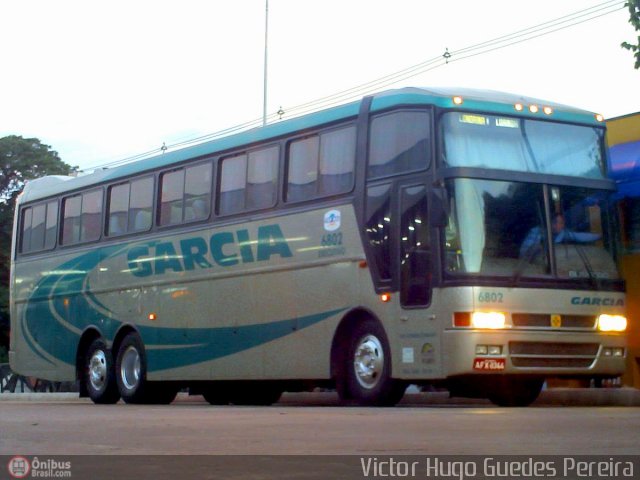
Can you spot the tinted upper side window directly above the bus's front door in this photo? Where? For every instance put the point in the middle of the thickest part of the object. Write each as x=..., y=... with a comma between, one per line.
x=399, y=143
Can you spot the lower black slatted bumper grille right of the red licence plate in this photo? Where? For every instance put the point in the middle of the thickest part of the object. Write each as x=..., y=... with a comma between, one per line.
x=553, y=355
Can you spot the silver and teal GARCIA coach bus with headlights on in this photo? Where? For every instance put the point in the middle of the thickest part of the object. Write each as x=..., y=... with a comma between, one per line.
x=445, y=238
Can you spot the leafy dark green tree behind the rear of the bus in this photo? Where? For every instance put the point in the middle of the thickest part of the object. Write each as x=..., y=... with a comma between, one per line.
x=21, y=159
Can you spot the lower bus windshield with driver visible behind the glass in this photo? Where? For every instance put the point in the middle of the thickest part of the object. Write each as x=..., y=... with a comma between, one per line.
x=499, y=228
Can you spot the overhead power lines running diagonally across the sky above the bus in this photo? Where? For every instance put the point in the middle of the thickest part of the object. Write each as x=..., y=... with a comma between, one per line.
x=520, y=36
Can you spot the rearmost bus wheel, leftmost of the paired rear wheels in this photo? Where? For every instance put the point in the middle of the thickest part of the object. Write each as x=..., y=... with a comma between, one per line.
x=99, y=378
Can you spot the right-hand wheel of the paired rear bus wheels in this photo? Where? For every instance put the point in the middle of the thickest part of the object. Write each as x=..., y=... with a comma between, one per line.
x=131, y=375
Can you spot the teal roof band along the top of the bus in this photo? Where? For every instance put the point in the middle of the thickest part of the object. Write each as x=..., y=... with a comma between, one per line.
x=476, y=100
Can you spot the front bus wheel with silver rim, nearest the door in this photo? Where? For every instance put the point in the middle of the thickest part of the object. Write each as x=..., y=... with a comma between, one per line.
x=364, y=377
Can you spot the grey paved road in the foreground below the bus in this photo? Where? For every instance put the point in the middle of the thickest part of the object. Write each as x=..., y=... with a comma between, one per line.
x=313, y=424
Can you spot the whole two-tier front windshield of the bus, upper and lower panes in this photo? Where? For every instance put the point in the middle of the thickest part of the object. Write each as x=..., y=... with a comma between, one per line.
x=507, y=228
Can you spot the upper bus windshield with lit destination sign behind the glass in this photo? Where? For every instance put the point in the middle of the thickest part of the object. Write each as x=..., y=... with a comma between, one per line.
x=523, y=145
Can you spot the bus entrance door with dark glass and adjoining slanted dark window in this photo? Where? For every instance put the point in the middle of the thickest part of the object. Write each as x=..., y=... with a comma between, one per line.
x=398, y=238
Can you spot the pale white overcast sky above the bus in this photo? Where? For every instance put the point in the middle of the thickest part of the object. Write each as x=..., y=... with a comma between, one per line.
x=103, y=81
